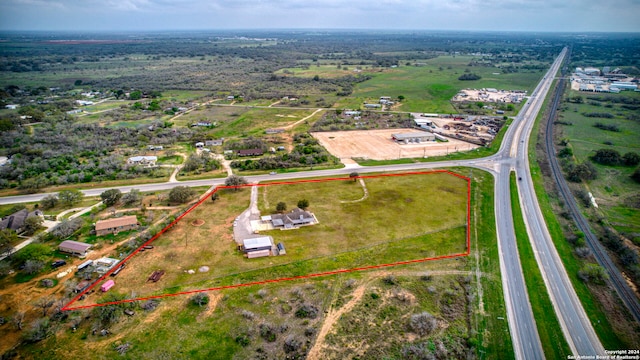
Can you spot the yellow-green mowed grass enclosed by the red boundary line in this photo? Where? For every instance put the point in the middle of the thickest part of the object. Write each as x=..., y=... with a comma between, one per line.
x=403, y=218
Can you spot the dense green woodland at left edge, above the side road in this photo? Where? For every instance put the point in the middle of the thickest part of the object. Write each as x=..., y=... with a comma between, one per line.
x=58, y=153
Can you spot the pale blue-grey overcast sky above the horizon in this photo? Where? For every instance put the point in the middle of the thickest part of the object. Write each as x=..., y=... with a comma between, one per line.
x=498, y=15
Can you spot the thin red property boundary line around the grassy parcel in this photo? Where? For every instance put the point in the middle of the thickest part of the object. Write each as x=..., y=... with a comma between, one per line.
x=68, y=307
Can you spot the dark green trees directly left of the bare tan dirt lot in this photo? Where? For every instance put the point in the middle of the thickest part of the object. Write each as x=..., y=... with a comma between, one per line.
x=307, y=152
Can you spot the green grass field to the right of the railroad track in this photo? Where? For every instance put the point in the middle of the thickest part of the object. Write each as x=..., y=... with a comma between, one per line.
x=613, y=187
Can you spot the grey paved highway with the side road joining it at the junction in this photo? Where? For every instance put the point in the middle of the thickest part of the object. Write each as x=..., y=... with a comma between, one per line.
x=511, y=156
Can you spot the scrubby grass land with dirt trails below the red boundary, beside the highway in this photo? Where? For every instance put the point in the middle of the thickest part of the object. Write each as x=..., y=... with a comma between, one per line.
x=365, y=313
